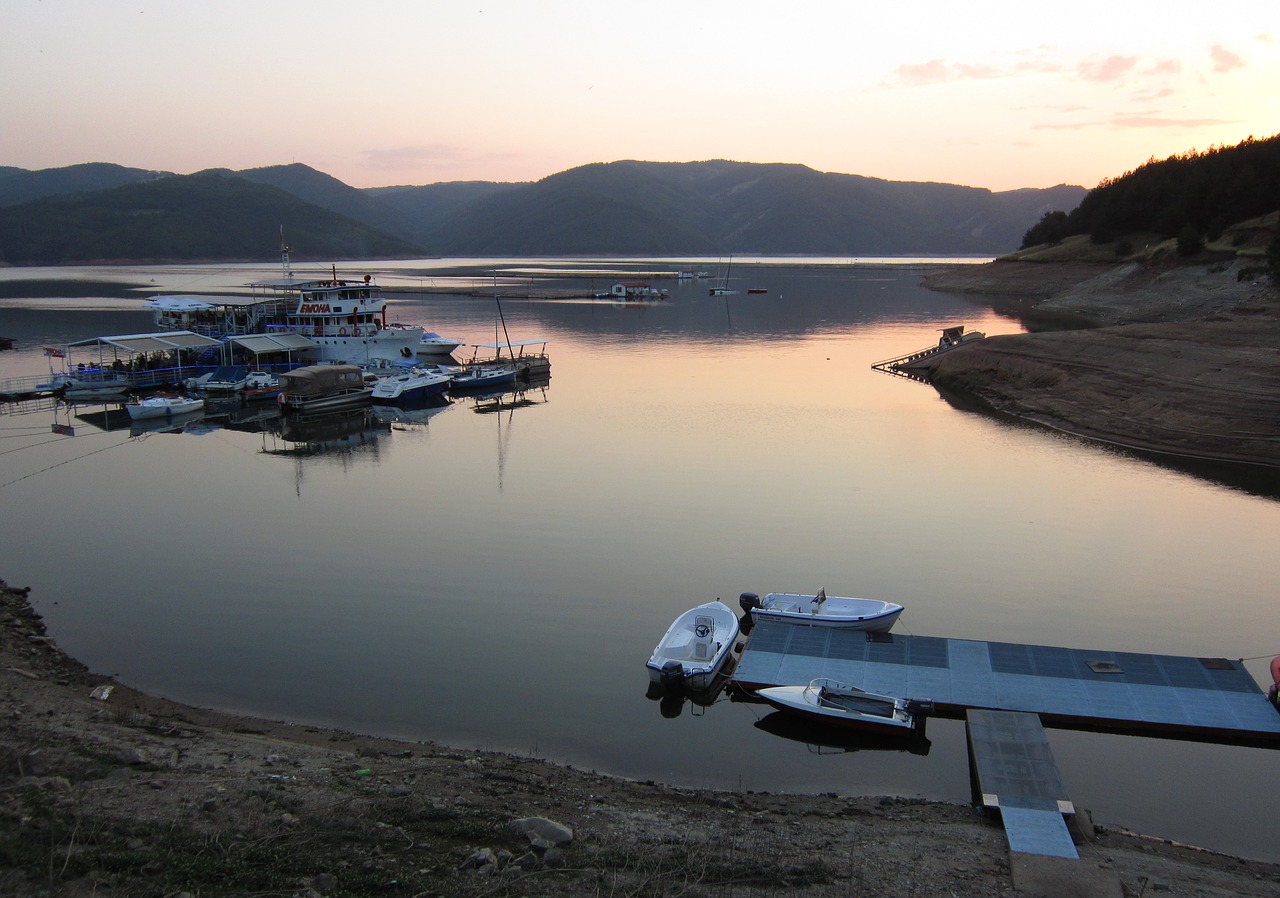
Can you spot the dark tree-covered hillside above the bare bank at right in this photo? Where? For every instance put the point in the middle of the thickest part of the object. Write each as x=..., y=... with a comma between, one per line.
x=1197, y=194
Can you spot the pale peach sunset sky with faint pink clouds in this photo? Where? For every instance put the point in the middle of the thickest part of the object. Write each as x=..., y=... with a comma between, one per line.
x=380, y=93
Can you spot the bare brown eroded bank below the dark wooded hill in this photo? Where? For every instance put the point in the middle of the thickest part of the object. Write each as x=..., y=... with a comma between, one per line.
x=1187, y=364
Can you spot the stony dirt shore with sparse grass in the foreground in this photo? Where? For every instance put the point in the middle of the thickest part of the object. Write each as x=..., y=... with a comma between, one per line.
x=129, y=795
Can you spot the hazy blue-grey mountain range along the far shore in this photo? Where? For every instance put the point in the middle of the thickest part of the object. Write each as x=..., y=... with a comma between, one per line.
x=111, y=213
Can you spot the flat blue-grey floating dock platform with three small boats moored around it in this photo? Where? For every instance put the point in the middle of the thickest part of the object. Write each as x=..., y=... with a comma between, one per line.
x=1208, y=699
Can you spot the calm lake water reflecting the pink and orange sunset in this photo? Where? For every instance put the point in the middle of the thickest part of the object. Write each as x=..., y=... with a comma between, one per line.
x=497, y=579
